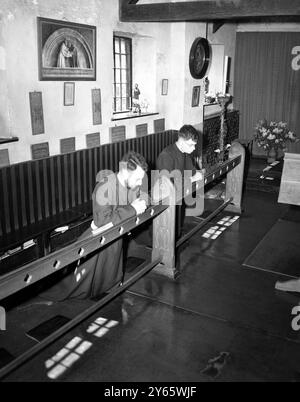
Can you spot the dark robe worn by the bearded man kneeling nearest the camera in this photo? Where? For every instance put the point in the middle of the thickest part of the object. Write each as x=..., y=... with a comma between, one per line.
x=102, y=270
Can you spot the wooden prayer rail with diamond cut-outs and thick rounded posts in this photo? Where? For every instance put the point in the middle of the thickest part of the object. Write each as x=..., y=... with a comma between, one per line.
x=163, y=215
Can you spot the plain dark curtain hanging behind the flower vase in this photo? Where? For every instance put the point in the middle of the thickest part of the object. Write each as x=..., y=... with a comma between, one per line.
x=266, y=84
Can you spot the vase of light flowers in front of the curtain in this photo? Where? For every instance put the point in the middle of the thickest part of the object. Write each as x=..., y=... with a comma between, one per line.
x=273, y=137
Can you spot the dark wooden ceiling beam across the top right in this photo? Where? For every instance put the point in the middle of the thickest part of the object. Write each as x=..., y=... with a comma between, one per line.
x=208, y=10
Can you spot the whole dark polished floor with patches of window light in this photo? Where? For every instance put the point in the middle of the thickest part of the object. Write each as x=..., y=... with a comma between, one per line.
x=219, y=321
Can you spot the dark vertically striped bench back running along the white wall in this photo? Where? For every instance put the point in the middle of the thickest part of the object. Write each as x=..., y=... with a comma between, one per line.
x=36, y=197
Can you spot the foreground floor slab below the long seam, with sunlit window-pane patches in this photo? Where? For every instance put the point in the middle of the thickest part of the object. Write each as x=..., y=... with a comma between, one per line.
x=152, y=342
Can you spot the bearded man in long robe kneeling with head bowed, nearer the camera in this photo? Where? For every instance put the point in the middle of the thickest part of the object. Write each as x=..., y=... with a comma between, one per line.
x=116, y=197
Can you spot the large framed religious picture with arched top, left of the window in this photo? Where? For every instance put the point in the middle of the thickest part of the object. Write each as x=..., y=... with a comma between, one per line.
x=67, y=51
